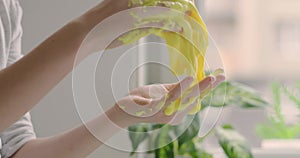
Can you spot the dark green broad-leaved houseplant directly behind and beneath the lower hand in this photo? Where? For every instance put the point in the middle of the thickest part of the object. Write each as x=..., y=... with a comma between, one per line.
x=188, y=143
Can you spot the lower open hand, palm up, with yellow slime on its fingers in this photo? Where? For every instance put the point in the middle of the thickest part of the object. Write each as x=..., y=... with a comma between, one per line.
x=148, y=104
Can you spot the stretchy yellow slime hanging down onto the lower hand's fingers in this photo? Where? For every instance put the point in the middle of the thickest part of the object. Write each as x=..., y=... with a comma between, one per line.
x=187, y=45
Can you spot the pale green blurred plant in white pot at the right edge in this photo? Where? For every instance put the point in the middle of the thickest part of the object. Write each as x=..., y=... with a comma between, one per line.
x=277, y=132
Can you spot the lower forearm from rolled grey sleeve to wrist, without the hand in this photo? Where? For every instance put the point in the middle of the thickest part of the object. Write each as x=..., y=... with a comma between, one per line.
x=77, y=143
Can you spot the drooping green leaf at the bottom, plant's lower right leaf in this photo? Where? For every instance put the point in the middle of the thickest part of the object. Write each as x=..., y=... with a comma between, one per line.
x=233, y=143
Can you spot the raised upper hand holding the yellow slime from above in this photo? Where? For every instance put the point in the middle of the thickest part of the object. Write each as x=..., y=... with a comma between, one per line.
x=101, y=38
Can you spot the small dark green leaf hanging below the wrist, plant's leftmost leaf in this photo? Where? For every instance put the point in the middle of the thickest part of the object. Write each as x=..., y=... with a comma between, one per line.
x=137, y=134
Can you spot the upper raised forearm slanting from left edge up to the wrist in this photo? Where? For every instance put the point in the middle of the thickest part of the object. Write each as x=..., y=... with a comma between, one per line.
x=23, y=84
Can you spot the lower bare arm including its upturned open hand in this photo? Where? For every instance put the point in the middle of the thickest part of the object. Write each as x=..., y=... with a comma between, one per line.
x=80, y=142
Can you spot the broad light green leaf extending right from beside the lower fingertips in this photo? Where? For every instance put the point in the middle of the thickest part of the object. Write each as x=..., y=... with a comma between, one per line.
x=231, y=93
